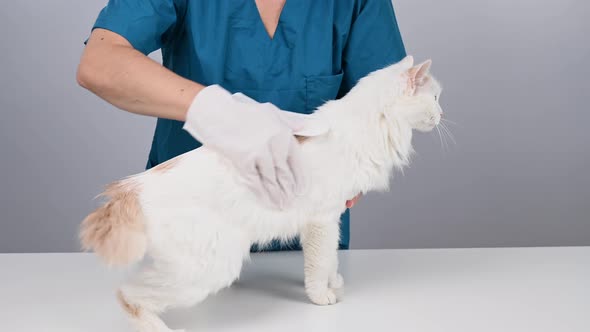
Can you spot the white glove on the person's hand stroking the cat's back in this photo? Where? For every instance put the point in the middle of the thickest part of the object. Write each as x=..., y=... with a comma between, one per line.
x=257, y=138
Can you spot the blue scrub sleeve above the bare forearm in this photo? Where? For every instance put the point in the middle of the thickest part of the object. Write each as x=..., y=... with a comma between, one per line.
x=146, y=24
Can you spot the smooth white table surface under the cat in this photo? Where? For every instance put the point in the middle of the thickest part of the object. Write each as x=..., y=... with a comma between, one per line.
x=454, y=290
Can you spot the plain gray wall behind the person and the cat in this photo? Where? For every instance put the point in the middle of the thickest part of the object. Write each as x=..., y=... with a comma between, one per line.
x=514, y=74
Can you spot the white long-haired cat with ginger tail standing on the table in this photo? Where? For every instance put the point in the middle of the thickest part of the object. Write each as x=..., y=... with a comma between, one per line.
x=197, y=221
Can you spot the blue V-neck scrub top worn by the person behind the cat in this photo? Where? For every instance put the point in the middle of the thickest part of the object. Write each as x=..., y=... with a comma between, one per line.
x=319, y=51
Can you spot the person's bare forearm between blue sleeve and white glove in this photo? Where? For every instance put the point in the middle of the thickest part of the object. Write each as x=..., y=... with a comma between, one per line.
x=113, y=70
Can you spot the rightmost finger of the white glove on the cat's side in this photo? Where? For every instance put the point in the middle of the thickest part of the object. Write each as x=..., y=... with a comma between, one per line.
x=280, y=149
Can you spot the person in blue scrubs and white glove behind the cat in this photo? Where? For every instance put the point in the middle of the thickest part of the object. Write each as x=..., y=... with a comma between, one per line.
x=232, y=70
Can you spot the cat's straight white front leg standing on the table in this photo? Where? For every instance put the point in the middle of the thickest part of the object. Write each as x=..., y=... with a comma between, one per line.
x=320, y=251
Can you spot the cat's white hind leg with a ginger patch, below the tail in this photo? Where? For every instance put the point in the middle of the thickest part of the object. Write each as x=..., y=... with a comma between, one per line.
x=198, y=262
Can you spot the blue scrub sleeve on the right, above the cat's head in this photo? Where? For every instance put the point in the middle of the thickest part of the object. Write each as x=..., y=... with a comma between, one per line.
x=374, y=42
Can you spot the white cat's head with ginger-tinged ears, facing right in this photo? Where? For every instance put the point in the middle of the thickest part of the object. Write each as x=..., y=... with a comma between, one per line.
x=412, y=95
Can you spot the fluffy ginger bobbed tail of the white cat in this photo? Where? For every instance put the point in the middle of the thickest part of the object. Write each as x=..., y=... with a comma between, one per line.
x=116, y=230
